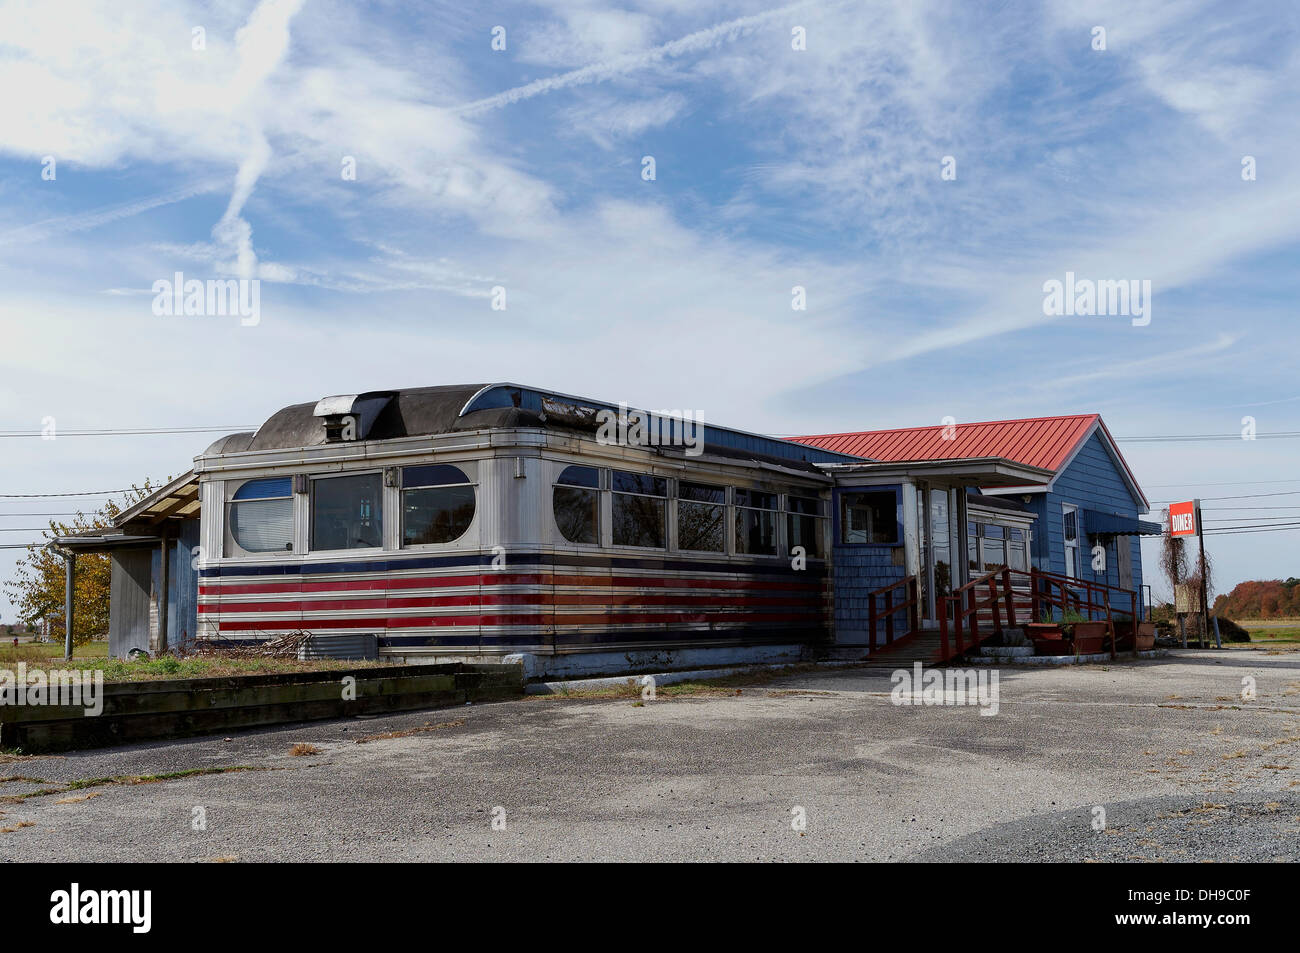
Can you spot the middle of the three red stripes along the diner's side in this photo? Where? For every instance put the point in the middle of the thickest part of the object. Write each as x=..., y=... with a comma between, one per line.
x=544, y=599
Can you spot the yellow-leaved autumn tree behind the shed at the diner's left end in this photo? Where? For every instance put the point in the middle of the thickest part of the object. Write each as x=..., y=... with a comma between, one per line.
x=37, y=588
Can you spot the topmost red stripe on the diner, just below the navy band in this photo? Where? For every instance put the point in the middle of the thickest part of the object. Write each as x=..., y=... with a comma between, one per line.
x=500, y=581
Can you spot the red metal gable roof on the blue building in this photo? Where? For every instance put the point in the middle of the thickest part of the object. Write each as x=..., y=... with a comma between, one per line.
x=1046, y=443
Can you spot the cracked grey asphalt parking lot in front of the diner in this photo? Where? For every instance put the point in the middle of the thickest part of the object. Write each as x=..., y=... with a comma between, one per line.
x=1181, y=766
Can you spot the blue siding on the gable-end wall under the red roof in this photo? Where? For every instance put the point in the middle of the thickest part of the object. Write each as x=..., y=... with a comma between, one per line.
x=1093, y=482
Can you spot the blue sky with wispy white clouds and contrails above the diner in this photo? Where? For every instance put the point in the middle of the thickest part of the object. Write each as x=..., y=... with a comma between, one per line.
x=775, y=167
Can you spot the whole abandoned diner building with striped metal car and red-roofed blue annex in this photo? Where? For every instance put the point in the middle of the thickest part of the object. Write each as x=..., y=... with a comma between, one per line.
x=482, y=522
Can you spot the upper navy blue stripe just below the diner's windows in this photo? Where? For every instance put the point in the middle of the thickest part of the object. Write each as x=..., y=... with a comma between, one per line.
x=518, y=562
